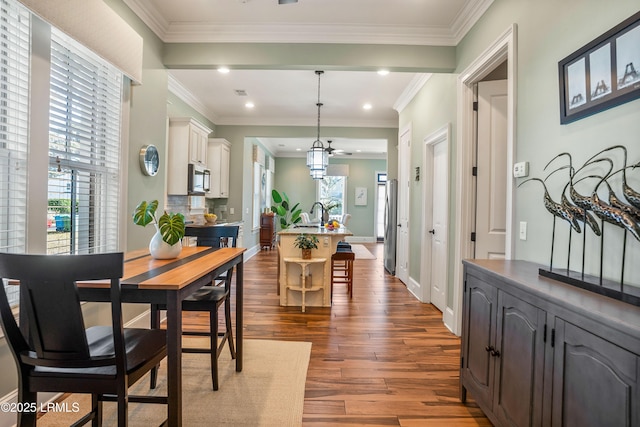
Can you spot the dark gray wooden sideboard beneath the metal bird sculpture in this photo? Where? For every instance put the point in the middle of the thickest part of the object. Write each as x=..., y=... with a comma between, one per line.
x=536, y=352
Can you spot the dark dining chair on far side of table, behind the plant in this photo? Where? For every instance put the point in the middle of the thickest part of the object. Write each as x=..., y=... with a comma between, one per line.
x=209, y=299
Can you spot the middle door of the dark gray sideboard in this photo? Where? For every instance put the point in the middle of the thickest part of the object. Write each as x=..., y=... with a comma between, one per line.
x=519, y=373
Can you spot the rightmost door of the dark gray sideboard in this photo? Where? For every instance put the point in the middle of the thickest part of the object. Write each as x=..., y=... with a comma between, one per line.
x=595, y=383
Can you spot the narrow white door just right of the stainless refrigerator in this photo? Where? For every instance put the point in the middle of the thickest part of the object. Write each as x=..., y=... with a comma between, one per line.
x=402, y=246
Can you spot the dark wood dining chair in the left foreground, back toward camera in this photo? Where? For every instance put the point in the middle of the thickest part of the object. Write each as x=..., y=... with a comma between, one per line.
x=53, y=350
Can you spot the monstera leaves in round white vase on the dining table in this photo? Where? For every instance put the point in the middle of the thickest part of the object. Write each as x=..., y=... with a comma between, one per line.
x=166, y=242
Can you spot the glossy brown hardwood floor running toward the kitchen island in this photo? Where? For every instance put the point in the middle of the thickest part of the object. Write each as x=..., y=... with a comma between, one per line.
x=380, y=359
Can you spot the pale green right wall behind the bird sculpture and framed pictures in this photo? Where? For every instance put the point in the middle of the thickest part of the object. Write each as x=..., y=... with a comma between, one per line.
x=547, y=31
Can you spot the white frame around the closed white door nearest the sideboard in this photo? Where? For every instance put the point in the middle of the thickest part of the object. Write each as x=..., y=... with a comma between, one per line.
x=441, y=136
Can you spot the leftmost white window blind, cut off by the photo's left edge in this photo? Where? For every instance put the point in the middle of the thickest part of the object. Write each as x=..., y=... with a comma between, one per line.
x=14, y=119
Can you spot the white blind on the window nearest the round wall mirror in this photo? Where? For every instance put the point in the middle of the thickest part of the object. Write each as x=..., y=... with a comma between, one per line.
x=84, y=150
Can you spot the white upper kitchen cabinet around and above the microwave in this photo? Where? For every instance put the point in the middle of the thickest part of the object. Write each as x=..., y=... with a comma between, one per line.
x=187, y=144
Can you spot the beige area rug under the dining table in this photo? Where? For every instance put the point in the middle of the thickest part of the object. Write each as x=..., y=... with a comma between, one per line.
x=268, y=392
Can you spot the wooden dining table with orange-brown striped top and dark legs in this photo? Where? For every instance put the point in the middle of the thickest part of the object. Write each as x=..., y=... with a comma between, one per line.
x=153, y=281
